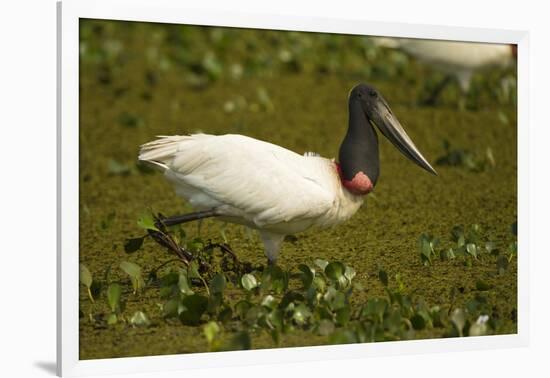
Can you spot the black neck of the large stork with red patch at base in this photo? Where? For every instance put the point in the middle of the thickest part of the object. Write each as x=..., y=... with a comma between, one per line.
x=358, y=157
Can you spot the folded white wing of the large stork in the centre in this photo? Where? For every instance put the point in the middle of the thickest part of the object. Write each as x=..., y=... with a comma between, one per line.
x=263, y=182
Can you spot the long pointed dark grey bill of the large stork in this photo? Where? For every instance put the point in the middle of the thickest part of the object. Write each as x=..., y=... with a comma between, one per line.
x=388, y=125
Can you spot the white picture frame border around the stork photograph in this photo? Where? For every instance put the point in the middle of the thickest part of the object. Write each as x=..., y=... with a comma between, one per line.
x=166, y=11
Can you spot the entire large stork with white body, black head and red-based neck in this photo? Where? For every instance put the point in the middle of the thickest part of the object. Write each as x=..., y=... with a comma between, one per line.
x=276, y=191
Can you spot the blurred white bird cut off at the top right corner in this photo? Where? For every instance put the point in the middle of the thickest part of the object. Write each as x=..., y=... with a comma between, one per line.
x=455, y=59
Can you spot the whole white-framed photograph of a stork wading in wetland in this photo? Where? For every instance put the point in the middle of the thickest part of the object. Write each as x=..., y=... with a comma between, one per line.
x=242, y=189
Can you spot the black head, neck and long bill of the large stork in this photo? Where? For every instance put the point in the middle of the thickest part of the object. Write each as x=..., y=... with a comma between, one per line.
x=359, y=150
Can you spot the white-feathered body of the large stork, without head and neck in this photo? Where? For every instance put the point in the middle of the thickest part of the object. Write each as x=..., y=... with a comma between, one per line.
x=254, y=183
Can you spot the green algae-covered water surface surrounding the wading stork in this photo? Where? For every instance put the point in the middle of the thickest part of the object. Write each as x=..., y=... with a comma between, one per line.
x=142, y=80
